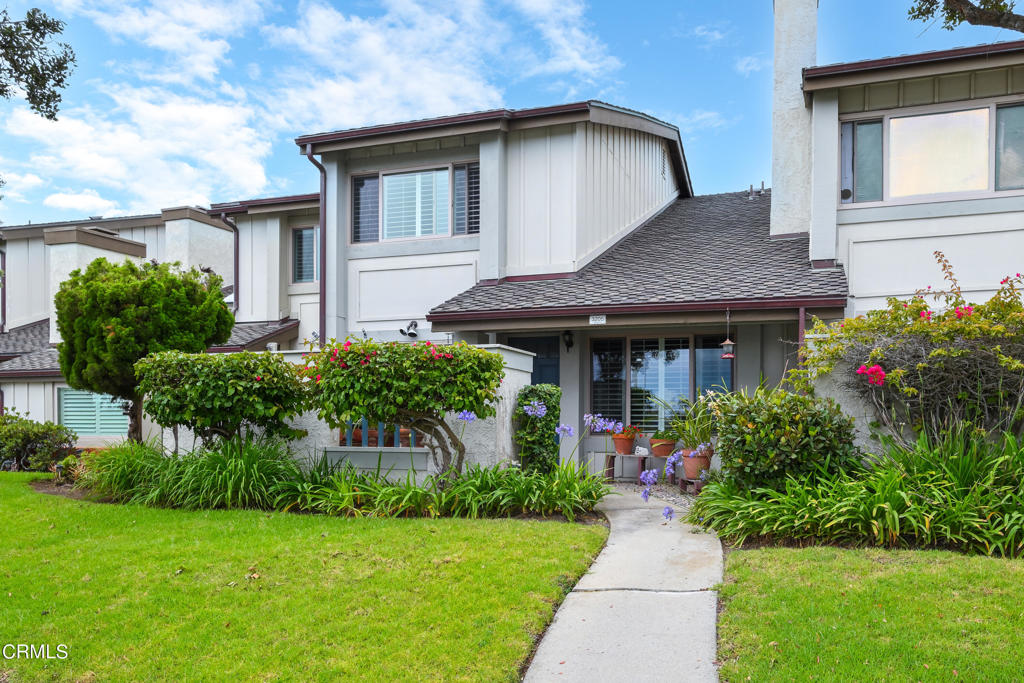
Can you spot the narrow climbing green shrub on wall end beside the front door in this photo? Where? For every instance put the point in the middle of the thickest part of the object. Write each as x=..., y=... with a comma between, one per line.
x=537, y=413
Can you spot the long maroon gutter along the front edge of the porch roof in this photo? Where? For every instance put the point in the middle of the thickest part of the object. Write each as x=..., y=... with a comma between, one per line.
x=736, y=305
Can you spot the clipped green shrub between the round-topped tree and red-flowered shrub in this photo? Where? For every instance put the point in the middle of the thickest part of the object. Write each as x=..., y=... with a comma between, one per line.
x=223, y=395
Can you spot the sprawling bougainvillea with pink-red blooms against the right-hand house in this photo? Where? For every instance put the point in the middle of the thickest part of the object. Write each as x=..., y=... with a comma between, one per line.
x=930, y=365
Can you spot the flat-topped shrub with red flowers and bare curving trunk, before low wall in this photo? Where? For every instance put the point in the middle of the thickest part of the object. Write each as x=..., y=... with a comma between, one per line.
x=415, y=386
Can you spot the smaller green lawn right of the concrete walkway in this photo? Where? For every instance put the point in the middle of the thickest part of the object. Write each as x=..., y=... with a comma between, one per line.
x=829, y=614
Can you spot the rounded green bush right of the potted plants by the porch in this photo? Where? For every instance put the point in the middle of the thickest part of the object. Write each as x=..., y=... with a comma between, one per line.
x=767, y=436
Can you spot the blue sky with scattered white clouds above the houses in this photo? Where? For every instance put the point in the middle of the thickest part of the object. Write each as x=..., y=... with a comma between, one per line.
x=195, y=102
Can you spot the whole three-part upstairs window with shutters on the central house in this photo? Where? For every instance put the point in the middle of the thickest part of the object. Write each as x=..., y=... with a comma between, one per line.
x=429, y=203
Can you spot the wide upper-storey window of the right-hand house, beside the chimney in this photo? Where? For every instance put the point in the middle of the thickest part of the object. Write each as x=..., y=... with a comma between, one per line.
x=899, y=157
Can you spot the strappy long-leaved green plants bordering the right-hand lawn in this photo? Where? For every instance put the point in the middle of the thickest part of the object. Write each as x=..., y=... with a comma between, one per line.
x=961, y=492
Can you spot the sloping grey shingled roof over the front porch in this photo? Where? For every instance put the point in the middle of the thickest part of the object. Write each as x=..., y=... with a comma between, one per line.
x=705, y=253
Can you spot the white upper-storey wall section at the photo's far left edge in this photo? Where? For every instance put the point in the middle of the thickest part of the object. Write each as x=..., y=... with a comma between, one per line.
x=28, y=287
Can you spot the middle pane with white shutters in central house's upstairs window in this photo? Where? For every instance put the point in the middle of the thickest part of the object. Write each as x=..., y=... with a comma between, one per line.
x=416, y=204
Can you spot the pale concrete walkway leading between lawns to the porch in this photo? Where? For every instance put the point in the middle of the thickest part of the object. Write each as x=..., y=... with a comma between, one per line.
x=645, y=612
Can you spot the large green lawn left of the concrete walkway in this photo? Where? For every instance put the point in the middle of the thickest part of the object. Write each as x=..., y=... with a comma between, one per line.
x=146, y=594
